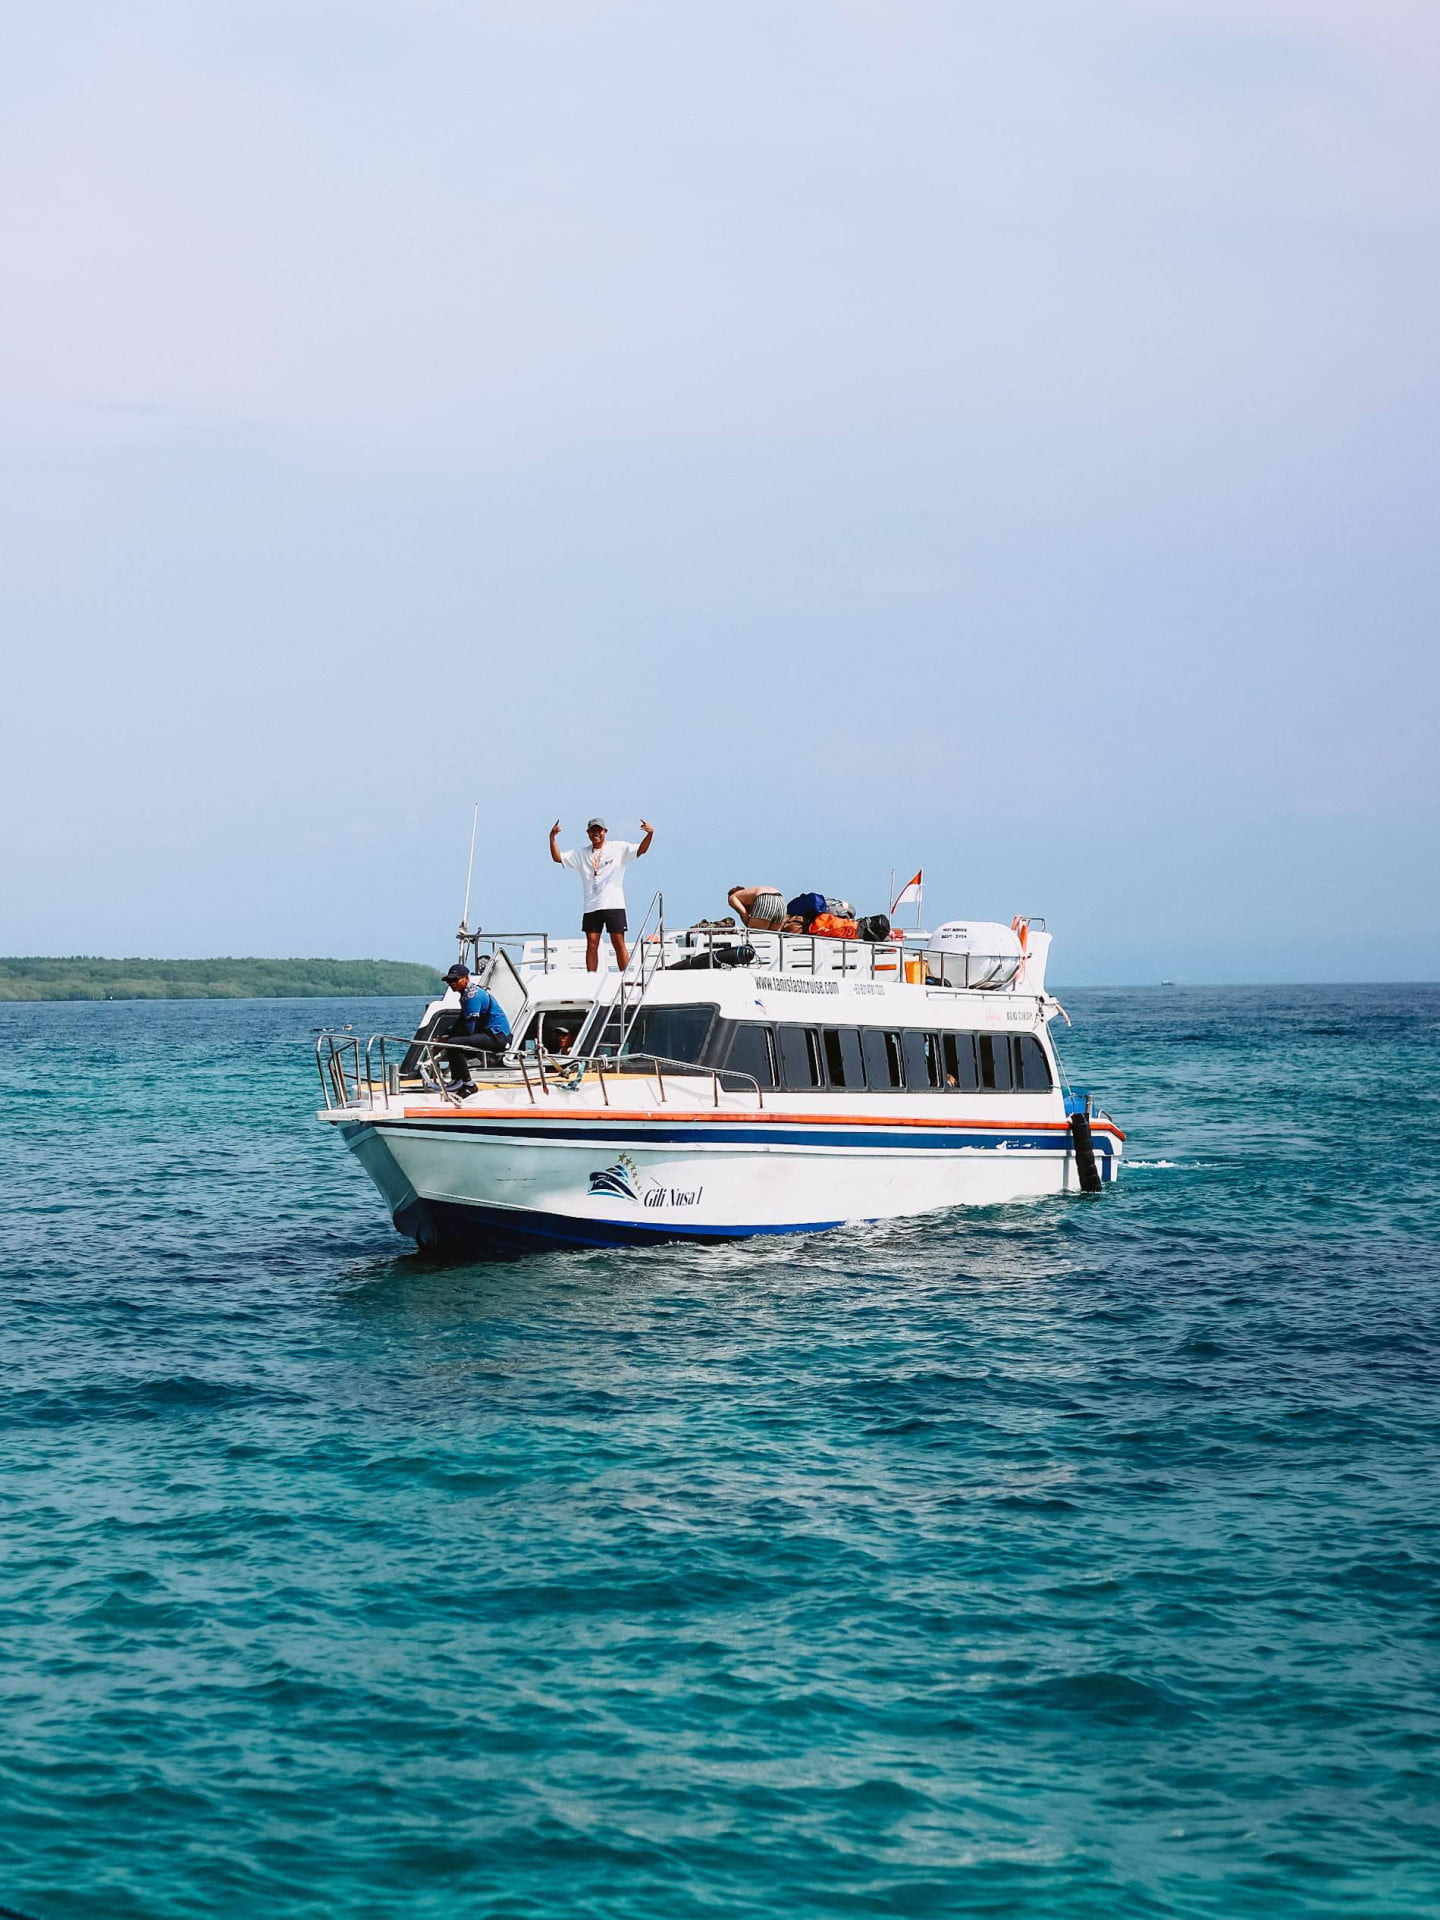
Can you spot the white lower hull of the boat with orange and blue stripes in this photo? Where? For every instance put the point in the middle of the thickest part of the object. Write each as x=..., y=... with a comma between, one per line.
x=517, y=1184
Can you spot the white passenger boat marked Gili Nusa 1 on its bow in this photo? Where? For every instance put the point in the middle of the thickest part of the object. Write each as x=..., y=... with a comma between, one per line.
x=727, y=1084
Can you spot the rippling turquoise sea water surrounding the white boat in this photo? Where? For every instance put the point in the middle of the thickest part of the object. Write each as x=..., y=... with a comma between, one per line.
x=1059, y=1560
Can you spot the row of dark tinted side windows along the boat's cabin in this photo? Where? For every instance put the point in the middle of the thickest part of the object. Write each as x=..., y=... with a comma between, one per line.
x=805, y=1059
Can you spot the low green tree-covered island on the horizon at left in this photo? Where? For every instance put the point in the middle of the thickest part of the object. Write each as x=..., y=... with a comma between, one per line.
x=85, y=978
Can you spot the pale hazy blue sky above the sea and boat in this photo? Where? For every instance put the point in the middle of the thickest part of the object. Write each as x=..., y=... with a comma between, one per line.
x=853, y=437
